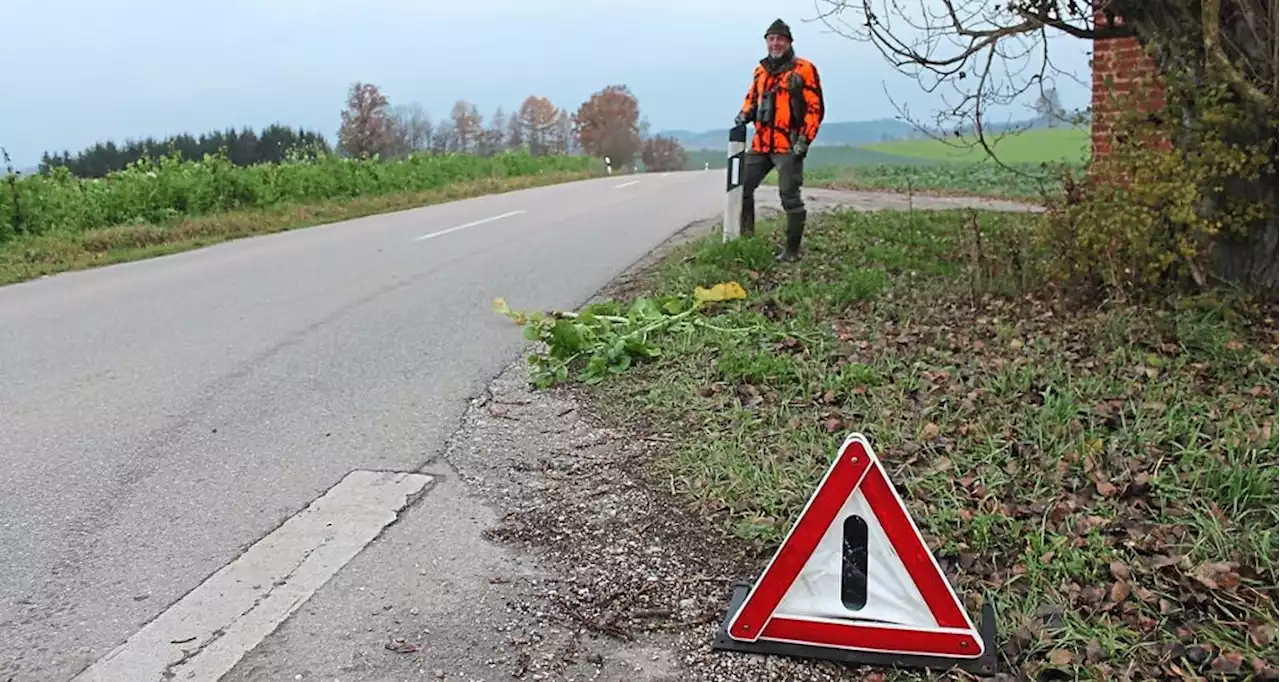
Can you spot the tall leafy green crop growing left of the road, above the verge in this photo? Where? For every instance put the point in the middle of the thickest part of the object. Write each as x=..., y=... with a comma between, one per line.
x=157, y=191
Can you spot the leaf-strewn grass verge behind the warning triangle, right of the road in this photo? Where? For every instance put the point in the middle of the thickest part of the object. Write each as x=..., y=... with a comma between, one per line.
x=1107, y=474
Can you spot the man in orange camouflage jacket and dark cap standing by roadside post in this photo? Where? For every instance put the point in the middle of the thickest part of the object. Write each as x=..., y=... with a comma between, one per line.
x=787, y=106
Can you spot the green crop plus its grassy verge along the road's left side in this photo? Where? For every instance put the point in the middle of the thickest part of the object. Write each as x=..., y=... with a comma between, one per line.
x=61, y=222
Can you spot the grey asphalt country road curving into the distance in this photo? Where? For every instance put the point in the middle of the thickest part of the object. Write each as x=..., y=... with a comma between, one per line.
x=159, y=418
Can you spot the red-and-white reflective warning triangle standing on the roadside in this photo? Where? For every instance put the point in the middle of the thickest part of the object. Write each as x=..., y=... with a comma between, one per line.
x=856, y=575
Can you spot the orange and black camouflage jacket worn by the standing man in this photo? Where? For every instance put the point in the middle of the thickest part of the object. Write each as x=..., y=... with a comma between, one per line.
x=798, y=104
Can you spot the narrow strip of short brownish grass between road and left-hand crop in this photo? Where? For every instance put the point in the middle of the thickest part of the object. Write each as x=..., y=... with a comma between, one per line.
x=57, y=251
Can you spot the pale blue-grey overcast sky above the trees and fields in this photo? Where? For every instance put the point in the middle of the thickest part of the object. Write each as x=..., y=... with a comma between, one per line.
x=85, y=71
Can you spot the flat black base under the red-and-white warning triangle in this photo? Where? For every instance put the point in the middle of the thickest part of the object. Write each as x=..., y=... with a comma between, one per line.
x=985, y=666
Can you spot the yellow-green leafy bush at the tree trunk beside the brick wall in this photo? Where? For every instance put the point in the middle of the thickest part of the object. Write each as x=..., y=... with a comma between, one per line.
x=1155, y=208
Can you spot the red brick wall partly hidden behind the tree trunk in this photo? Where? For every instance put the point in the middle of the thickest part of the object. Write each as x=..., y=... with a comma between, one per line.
x=1124, y=79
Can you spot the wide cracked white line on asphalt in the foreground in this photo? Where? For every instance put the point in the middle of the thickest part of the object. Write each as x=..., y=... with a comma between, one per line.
x=236, y=608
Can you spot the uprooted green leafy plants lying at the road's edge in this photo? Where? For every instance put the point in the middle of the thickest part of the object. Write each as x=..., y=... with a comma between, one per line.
x=606, y=338
